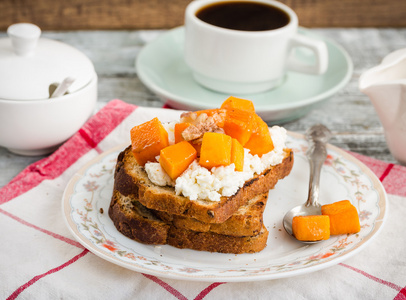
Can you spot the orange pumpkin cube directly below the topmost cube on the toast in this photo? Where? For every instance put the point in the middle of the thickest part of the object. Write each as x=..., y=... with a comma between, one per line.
x=238, y=124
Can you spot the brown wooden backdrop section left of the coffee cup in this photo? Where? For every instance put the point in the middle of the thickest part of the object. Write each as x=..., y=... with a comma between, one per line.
x=93, y=14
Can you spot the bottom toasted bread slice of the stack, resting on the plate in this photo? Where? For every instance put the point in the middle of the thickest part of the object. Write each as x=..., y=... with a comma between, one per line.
x=141, y=224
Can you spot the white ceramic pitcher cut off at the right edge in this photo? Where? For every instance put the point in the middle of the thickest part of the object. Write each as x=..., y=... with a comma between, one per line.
x=385, y=85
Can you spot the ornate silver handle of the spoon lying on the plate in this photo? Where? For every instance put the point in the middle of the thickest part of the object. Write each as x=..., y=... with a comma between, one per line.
x=317, y=136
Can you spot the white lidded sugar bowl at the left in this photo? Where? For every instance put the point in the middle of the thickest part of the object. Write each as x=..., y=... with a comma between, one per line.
x=31, y=122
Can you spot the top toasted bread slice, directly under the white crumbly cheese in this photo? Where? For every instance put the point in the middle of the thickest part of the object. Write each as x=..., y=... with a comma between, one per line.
x=132, y=180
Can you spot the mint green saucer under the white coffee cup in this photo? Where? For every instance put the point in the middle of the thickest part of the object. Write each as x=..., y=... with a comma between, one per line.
x=161, y=67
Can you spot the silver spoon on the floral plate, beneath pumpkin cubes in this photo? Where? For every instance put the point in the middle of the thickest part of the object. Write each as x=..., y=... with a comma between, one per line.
x=317, y=136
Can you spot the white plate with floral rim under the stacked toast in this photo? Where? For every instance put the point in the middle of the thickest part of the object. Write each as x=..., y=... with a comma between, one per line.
x=343, y=177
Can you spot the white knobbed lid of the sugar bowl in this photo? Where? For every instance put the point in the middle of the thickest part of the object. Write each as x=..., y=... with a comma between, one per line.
x=29, y=65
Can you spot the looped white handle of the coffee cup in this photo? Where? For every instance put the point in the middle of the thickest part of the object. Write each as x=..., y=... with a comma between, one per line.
x=319, y=49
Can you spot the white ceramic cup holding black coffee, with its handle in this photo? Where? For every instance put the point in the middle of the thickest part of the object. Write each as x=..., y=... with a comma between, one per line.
x=237, y=61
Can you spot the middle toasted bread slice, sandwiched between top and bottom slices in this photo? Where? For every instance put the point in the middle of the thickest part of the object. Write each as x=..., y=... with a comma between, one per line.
x=246, y=221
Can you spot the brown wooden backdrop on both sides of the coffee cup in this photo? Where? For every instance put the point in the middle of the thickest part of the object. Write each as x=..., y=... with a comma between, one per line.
x=153, y=14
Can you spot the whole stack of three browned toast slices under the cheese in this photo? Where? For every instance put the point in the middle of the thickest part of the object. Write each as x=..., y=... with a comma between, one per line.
x=155, y=215
